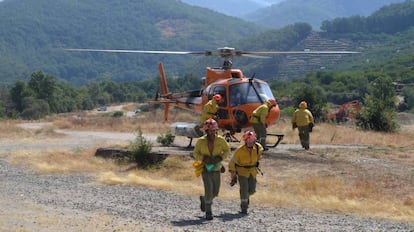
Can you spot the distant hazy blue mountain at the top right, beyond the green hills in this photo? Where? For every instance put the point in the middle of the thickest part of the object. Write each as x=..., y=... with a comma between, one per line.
x=314, y=11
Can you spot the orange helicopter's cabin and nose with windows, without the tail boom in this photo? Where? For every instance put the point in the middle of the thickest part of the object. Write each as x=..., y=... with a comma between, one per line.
x=241, y=96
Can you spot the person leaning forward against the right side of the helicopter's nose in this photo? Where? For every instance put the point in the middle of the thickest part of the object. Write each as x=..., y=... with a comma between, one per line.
x=258, y=120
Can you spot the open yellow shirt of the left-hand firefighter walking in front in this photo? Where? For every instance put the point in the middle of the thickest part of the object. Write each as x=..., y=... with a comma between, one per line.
x=221, y=148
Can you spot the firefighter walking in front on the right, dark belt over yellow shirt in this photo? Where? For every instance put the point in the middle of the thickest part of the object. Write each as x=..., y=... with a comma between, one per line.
x=244, y=165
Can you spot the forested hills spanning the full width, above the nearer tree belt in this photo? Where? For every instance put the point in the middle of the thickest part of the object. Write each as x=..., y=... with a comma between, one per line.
x=32, y=41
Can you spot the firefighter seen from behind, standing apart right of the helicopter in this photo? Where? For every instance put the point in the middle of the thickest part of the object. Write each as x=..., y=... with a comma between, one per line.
x=303, y=120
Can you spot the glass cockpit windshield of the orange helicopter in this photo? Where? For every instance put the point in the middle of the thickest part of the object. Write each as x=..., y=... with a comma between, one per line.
x=244, y=93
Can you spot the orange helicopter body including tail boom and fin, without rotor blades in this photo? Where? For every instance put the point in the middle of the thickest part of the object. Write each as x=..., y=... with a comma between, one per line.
x=241, y=96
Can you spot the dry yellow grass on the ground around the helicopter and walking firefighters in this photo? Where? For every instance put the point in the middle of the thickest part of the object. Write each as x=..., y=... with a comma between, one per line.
x=374, y=182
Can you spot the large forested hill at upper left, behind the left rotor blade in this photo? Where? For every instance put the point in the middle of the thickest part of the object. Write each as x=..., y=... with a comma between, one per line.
x=32, y=34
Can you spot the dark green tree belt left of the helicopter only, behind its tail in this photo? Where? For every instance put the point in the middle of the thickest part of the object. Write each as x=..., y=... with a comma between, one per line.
x=44, y=94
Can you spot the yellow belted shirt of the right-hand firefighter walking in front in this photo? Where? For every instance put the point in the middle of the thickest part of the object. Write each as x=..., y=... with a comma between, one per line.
x=243, y=157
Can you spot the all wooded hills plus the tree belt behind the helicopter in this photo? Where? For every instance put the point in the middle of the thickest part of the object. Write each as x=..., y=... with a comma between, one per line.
x=385, y=61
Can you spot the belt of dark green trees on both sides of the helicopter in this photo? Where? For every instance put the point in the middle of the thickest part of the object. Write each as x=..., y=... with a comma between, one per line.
x=43, y=95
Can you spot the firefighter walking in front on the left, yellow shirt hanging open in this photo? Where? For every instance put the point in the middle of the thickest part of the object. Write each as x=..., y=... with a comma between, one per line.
x=210, y=150
